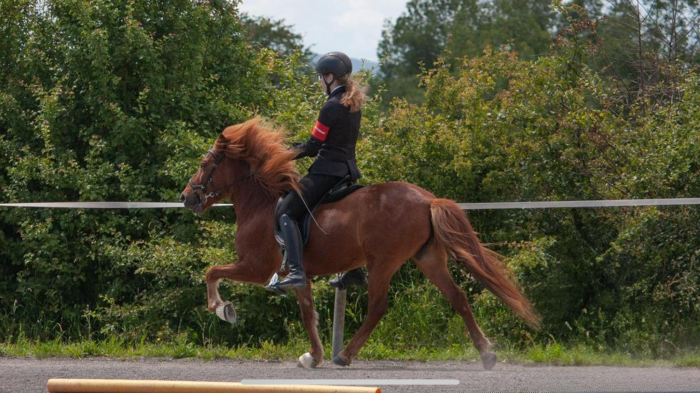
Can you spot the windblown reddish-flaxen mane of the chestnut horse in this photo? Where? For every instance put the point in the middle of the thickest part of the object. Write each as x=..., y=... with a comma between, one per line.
x=263, y=149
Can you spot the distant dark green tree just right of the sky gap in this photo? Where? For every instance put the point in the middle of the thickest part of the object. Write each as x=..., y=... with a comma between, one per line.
x=451, y=29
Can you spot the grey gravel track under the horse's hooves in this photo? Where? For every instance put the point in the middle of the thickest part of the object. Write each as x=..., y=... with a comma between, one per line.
x=24, y=375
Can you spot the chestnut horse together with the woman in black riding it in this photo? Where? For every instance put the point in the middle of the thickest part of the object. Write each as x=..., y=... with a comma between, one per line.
x=250, y=166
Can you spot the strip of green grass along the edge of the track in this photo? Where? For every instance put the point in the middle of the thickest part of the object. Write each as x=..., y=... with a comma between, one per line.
x=552, y=354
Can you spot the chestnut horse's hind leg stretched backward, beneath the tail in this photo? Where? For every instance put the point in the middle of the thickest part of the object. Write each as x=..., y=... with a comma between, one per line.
x=433, y=264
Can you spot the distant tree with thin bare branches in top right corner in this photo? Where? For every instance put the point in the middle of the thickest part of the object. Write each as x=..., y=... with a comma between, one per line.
x=643, y=44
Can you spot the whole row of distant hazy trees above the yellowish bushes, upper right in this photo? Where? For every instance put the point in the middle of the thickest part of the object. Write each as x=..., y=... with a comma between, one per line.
x=639, y=43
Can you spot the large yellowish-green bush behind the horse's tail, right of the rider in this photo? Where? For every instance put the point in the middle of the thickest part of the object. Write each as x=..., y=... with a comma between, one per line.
x=497, y=127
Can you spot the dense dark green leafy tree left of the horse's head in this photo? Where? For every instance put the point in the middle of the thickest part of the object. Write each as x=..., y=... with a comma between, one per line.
x=105, y=101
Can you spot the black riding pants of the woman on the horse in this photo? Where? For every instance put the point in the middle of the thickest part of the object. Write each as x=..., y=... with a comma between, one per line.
x=313, y=187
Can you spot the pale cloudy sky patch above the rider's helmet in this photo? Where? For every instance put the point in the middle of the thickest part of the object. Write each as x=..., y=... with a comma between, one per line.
x=353, y=27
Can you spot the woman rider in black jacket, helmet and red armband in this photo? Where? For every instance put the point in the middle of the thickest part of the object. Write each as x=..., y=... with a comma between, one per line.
x=332, y=142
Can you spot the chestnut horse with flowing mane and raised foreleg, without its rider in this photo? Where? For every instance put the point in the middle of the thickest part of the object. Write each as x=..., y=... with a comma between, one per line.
x=379, y=226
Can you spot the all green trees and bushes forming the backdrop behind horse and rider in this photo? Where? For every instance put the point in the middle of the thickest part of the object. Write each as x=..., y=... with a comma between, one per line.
x=119, y=100
